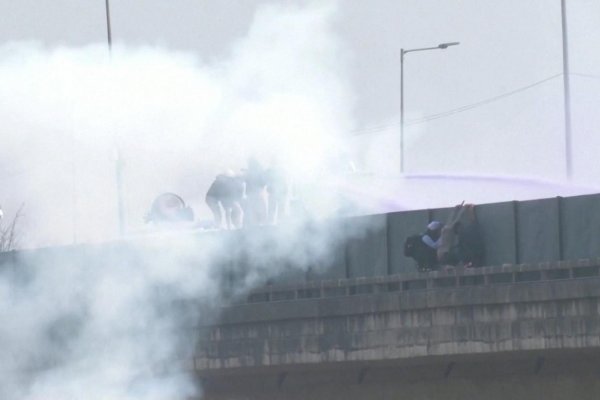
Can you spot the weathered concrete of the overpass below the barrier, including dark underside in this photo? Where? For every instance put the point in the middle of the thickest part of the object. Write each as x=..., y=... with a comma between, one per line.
x=513, y=339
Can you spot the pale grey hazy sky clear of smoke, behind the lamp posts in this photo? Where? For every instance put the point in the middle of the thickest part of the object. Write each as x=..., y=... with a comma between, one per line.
x=505, y=45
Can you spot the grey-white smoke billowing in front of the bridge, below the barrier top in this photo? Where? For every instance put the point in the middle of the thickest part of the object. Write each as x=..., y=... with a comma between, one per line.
x=121, y=320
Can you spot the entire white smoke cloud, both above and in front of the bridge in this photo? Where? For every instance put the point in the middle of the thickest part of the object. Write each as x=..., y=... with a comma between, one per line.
x=106, y=321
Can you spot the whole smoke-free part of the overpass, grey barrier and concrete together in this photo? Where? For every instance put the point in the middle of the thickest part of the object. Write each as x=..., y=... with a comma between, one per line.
x=369, y=326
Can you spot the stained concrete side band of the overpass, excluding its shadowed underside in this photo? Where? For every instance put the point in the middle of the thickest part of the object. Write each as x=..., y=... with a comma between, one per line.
x=521, y=316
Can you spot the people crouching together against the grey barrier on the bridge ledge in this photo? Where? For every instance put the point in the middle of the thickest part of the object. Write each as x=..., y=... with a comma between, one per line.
x=457, y=242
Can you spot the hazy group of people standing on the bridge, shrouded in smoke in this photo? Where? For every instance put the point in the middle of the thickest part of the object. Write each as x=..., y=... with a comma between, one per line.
x=255, y=196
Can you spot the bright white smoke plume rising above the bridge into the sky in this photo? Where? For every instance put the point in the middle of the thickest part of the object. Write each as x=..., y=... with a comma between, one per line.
x=176, y=120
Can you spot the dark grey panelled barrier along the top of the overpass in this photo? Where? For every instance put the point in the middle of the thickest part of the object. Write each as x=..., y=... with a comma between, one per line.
x=516, y=232
